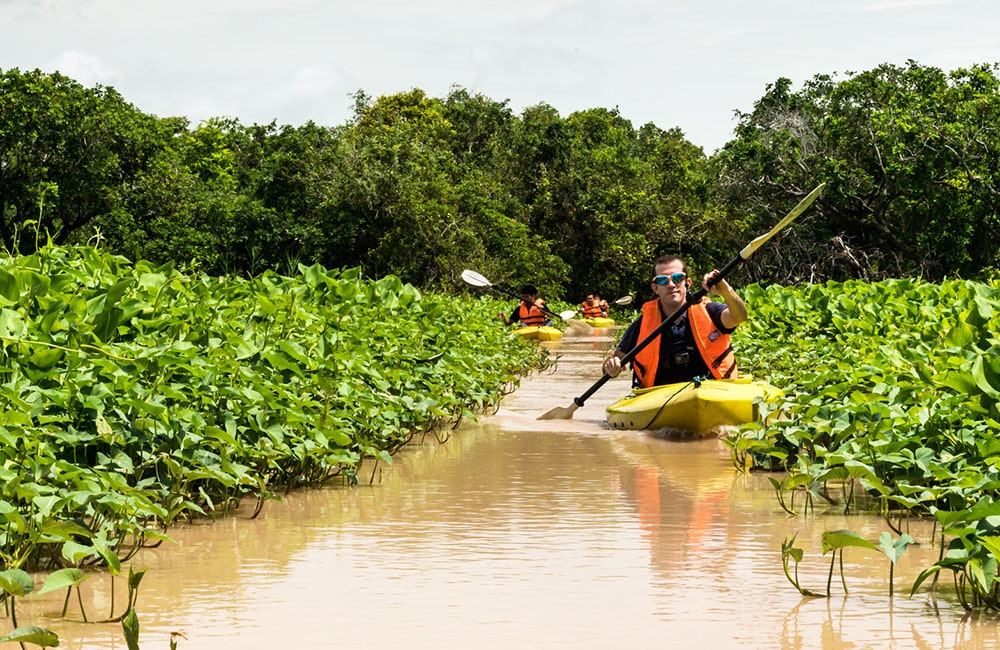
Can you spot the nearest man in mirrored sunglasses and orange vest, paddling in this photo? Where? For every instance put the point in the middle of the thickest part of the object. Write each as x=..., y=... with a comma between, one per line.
x=695, y=345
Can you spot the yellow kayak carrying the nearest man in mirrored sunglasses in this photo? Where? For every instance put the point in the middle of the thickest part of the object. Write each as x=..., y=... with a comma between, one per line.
x=699, y=407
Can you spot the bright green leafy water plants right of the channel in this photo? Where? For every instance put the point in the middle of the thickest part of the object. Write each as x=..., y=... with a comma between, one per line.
x=891, y=386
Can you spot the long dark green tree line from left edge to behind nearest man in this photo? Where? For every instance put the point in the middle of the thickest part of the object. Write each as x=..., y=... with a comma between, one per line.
x=413, y=186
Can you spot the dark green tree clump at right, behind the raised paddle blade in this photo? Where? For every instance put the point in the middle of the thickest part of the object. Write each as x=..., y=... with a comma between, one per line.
x=910, y=157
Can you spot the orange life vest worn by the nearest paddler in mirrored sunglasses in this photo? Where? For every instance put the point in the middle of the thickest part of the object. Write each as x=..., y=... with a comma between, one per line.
x=712, y=344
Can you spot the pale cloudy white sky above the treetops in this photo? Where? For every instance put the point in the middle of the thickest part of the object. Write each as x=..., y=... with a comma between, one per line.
x=676, y=63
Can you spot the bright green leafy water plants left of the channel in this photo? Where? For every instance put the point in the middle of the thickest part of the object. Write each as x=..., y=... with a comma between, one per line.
x=134, y=396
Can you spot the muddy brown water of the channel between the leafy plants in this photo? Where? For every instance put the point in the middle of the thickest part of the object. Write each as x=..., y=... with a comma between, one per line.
x=520, y=533
